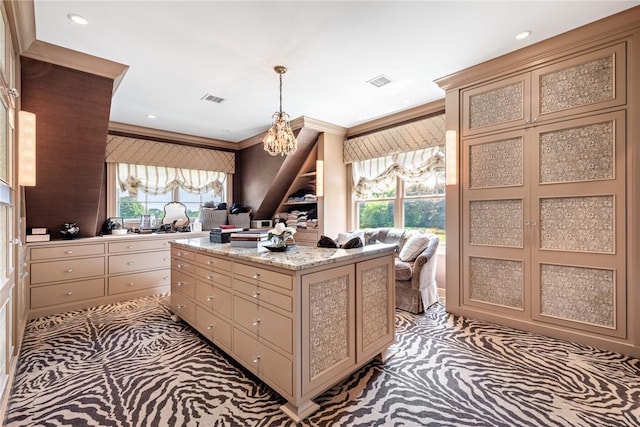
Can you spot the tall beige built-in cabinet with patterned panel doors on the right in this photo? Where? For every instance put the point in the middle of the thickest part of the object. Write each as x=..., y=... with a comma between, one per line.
x=539, y=231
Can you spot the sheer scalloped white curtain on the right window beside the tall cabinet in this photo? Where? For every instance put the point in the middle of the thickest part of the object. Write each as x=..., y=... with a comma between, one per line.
x=376, y=175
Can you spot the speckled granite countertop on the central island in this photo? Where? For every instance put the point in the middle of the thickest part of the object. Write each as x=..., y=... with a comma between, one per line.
x=298, y=257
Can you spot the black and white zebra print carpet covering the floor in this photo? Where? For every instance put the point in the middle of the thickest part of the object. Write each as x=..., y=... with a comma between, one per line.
x=129, y=364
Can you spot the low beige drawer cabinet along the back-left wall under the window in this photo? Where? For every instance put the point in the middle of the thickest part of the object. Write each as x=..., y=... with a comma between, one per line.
x=73, y=274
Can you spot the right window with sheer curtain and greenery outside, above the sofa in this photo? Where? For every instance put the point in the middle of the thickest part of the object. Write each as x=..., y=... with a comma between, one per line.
x=406, y=190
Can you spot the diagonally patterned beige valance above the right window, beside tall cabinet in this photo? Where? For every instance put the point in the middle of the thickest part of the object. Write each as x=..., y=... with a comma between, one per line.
x=412, y=136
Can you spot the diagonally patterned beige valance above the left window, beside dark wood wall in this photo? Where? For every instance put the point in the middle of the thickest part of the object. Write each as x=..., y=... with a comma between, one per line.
x=144, y=152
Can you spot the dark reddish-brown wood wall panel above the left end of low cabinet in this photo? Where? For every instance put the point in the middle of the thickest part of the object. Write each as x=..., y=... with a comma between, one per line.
x=72, y=112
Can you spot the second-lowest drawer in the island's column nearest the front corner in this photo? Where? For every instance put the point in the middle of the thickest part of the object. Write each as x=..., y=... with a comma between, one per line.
x=266, y=324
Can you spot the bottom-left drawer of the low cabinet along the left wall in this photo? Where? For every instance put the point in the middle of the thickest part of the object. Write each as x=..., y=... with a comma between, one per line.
x=63, y=293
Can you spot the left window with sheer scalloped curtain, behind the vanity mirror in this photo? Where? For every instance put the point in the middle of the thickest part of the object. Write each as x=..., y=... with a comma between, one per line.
x=145, y=190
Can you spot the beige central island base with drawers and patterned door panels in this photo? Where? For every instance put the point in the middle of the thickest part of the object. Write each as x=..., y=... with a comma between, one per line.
x=300, y=329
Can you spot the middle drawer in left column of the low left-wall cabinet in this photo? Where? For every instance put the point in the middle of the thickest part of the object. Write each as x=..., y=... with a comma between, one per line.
x=54, y=271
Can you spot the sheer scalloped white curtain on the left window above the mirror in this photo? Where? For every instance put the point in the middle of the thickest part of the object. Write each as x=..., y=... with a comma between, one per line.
x=160, y=179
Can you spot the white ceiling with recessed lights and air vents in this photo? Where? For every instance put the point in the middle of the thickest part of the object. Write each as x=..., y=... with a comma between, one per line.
x=178, y=51
